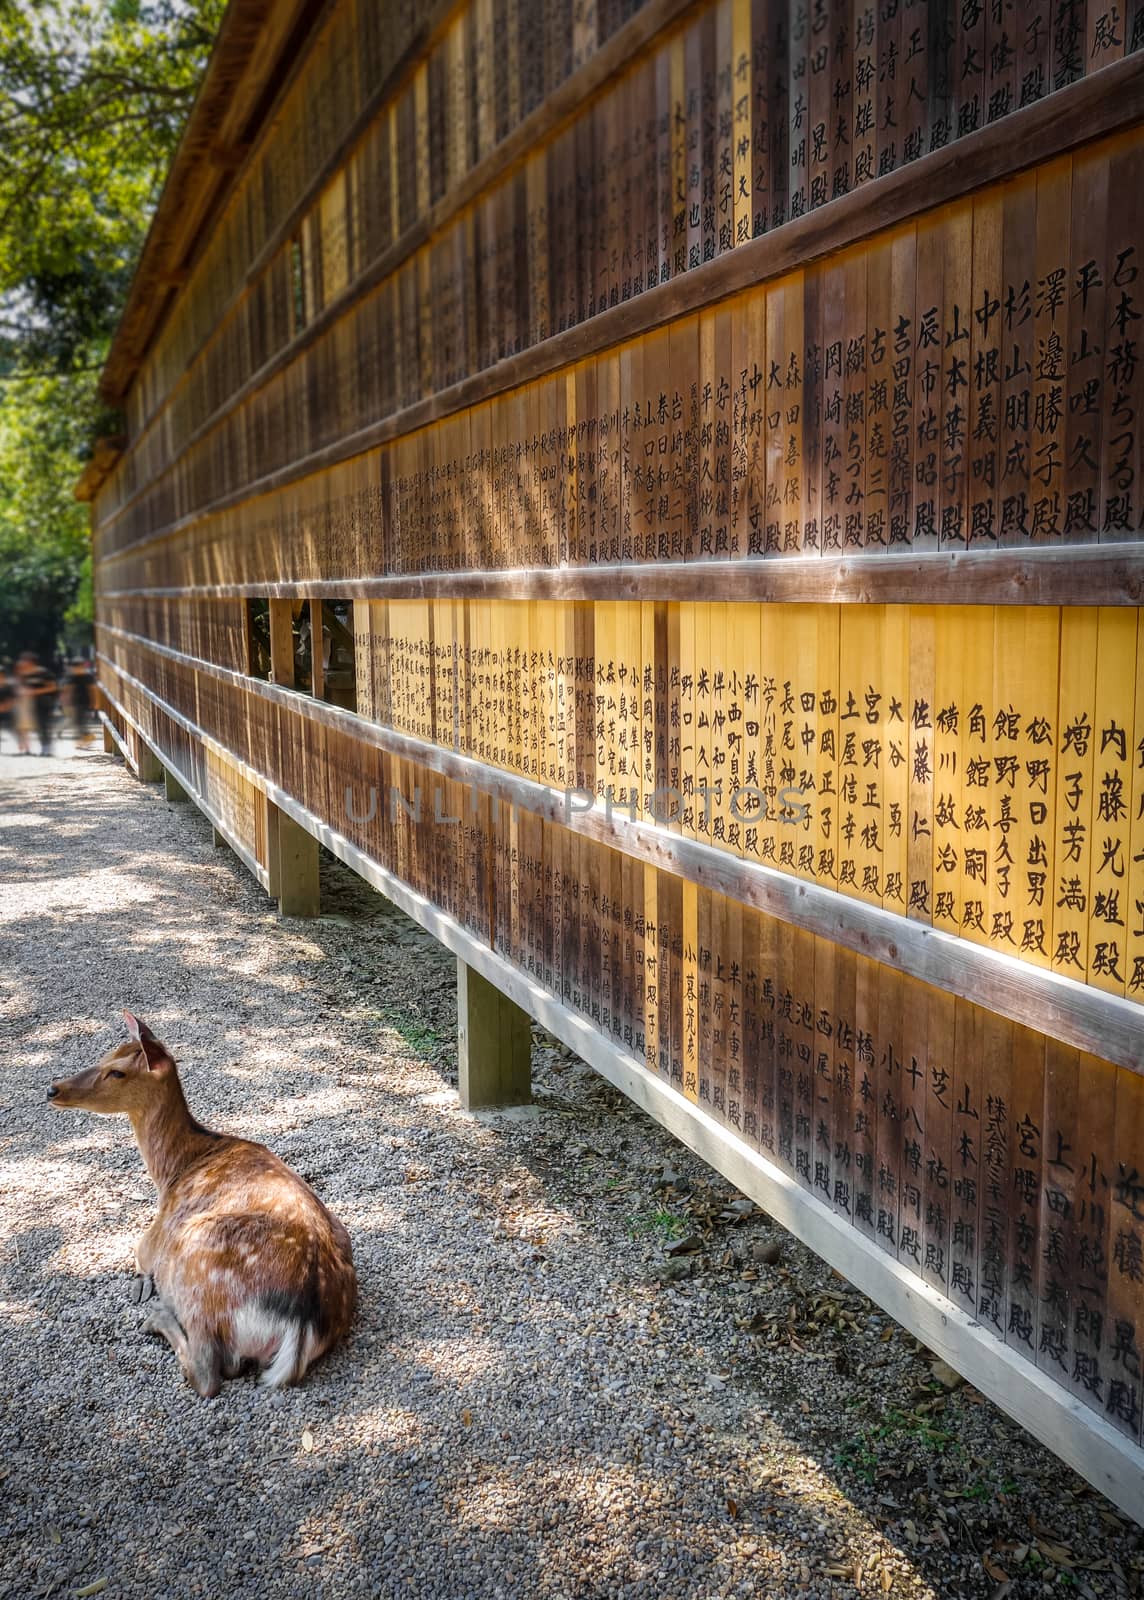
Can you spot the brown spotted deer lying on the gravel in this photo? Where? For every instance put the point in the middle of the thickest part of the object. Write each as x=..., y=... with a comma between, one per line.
x=249, y=1265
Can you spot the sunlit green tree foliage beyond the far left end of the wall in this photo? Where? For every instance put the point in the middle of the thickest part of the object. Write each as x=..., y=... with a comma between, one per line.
x=94, y=98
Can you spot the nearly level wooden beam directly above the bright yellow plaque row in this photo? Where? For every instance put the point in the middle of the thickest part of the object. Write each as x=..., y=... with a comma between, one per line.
x=1050, y=575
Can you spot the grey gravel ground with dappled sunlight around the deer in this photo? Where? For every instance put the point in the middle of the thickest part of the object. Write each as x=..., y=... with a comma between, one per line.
x=538, y=1399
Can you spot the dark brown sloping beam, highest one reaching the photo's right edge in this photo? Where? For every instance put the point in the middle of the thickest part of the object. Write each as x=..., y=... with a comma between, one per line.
x=1094, y=108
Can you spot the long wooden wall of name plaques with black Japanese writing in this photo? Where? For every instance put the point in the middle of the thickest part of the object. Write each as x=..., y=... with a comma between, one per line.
x=726, y=423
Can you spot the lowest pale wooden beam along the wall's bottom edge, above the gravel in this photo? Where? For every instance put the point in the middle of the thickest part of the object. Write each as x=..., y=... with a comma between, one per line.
x=1110, y=1460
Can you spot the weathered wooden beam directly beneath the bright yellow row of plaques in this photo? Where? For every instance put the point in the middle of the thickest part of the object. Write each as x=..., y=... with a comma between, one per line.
x=1060, y=1007
